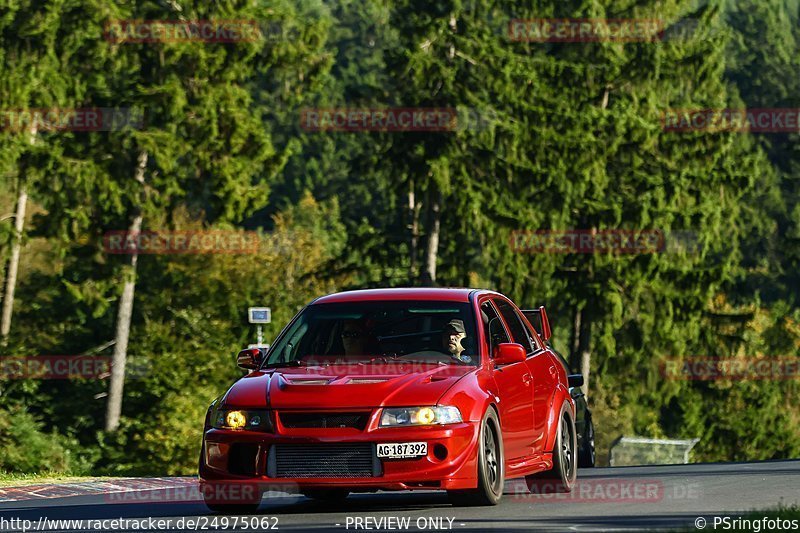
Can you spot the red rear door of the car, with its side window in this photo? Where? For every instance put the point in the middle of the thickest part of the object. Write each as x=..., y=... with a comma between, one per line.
x=539, y=367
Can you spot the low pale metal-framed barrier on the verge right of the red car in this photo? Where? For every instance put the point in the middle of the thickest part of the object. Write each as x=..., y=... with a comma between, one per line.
x=630, y=451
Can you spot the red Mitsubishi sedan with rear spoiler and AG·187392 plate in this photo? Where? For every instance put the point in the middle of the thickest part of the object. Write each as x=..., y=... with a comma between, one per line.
x=394, y=389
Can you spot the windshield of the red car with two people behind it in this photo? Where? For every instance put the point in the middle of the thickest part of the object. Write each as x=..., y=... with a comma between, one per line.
x=366, y=332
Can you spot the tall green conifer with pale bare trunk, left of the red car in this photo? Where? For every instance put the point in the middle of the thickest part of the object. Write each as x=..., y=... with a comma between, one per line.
x=203, y=146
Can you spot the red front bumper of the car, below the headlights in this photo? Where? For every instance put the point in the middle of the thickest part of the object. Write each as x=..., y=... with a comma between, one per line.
x=248, y=457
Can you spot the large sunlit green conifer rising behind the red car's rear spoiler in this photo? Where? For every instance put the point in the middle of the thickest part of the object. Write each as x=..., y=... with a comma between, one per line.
x=578, y=143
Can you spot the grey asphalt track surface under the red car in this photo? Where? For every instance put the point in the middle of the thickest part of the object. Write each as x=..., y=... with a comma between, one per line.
x=606, y=499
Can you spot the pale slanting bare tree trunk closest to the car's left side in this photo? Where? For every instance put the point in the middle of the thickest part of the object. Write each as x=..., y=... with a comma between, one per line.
x=117, y=382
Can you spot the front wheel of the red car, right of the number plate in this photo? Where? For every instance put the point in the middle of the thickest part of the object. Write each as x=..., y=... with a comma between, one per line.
x=491, y=467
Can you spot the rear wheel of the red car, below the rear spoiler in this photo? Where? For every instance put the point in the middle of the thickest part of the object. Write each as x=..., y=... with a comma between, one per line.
x=561, y=477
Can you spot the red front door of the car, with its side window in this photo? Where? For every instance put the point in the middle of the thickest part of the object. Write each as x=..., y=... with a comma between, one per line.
x=514, y=388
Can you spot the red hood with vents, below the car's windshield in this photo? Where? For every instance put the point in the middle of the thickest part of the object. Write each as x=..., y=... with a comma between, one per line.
x=346, y=386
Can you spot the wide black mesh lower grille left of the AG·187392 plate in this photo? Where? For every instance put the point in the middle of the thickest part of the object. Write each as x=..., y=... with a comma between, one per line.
x=346, y=460
